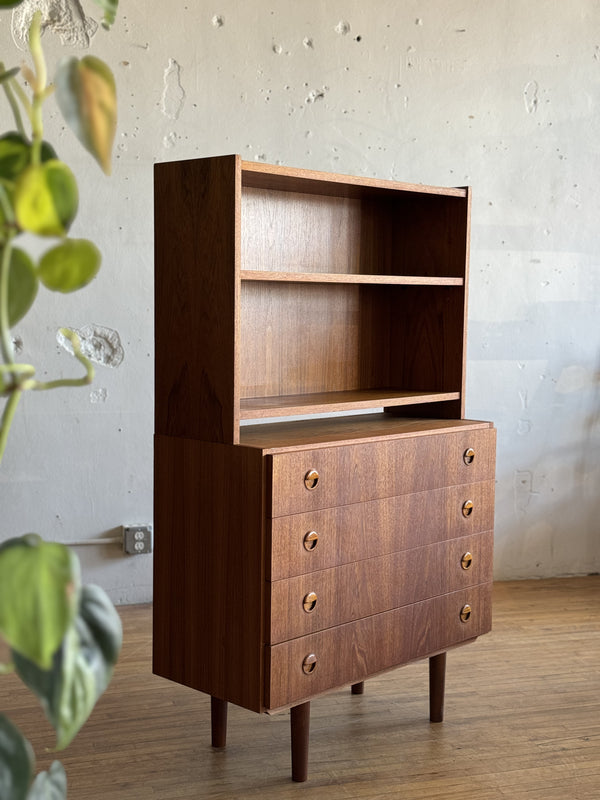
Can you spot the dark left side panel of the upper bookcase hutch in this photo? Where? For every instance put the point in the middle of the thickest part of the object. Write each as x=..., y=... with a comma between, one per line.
x=196, y=294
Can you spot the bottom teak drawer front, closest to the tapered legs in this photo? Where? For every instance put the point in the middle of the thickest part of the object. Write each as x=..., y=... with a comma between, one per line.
x=299, y=669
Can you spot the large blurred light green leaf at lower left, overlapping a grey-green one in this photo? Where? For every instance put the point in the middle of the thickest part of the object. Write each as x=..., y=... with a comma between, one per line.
x=39, y=594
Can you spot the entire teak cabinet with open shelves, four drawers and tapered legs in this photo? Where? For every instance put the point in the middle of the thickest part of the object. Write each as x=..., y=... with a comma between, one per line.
x=294, y=556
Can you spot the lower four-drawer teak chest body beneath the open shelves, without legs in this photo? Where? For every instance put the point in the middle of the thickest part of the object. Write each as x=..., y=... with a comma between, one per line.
x=297, y=571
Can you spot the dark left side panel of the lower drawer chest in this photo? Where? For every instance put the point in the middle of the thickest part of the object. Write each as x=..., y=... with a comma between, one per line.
x=208, y=568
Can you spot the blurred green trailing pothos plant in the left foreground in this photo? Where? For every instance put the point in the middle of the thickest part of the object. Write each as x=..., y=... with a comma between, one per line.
x=63, y=638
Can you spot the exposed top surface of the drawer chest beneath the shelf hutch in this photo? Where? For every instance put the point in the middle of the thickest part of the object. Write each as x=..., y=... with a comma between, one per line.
x=334, y=431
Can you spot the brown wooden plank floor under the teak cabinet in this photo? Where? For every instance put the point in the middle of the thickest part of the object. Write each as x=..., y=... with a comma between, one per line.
x=522, y=721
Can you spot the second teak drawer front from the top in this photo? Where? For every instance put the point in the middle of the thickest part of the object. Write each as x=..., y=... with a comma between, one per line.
x=317, y=540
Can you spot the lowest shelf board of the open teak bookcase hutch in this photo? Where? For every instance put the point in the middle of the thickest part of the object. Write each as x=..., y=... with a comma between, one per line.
x=326, y=402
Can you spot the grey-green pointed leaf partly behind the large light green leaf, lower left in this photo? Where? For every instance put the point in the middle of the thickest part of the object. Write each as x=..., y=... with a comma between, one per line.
x=81, y=669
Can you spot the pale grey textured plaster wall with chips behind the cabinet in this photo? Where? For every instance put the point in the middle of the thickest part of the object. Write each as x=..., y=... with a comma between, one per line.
x=503, y=96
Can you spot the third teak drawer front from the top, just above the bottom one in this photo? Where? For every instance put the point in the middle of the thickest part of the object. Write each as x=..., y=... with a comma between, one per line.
x=331, y=597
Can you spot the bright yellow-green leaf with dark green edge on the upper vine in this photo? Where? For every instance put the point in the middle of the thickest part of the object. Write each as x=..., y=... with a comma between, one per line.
x=46, y=198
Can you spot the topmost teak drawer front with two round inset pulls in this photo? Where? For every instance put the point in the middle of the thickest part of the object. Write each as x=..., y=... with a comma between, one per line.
x=355, y=473
